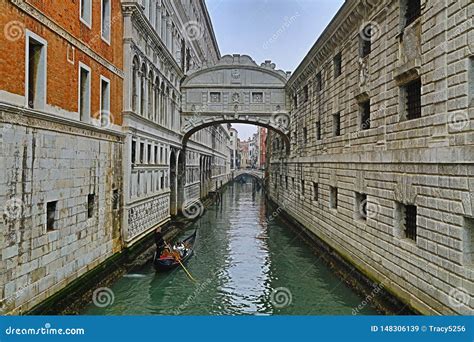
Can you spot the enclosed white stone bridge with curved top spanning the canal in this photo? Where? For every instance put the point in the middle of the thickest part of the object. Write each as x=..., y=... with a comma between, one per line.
x=236, y=90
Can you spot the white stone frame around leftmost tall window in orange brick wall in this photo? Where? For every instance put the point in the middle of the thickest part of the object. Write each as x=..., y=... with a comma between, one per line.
x=31, y=36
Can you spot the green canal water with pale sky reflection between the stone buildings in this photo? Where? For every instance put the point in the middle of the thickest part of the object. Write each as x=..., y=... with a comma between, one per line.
x=243, y=265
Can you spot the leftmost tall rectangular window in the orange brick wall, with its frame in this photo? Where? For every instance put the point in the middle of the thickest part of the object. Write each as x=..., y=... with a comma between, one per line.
x=35, y=71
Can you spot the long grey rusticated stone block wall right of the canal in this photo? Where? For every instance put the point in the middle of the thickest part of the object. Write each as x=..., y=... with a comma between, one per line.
x=353, y=189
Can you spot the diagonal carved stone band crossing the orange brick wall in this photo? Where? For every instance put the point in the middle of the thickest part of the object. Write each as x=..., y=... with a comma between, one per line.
x=56, y=28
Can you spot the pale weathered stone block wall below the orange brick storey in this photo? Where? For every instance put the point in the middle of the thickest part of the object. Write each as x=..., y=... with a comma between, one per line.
x=45, y=160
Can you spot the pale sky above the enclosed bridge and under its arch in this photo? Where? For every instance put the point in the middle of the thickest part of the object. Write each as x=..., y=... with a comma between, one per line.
x=280, y=30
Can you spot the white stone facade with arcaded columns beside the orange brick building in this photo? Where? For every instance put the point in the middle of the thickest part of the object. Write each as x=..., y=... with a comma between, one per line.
x=160, y=176
